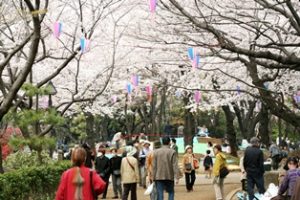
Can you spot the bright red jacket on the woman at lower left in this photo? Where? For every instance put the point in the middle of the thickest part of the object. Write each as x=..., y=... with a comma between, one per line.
x=66, y=189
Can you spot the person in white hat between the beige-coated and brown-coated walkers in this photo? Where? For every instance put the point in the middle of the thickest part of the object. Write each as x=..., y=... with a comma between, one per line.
x=142, y=161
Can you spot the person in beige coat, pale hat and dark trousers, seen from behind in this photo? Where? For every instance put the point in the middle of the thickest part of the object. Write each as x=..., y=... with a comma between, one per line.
x=129, y=173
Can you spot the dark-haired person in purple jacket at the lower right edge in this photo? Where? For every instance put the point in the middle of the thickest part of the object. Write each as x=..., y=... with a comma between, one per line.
x=289, y=181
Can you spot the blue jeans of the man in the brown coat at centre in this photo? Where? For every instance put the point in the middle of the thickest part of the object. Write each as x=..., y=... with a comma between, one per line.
x=167, y=185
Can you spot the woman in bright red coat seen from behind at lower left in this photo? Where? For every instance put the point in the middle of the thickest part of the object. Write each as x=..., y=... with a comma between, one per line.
x=76, y=182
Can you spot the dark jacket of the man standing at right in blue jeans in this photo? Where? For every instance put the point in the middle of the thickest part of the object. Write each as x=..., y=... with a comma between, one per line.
x=254, y=161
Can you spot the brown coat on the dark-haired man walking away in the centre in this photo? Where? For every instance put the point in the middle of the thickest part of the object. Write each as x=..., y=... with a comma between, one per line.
x=165, y=164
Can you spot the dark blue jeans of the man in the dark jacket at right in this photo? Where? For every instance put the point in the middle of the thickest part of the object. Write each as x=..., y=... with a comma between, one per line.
x=251, y=182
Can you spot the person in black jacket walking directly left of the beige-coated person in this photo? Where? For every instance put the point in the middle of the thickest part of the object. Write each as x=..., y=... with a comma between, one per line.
x=115, y=164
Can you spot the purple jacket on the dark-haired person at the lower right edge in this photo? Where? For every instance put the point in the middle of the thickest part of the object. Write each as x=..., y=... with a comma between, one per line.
x=289, y=182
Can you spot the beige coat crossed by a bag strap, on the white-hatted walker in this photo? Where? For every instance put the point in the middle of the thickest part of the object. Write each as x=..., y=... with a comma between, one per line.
x=129, y=175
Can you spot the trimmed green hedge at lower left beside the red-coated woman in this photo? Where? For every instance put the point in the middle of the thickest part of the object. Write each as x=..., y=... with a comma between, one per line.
x=33, y=183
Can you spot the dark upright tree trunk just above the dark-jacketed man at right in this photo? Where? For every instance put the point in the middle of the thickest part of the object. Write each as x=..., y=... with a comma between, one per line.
x=264, y=131
